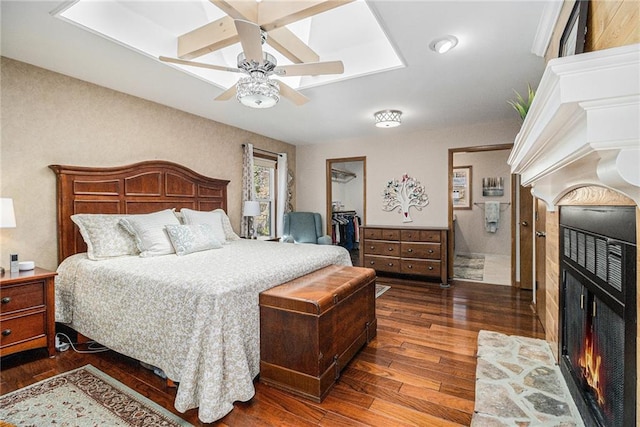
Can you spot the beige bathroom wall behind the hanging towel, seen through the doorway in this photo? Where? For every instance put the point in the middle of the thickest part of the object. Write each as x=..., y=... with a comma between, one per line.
x=470, y=234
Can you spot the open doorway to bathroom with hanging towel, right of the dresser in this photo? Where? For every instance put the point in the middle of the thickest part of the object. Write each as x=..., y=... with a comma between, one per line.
x=481, y=228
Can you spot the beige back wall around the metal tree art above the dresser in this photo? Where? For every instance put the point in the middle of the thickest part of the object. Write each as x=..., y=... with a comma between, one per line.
x=422, y=155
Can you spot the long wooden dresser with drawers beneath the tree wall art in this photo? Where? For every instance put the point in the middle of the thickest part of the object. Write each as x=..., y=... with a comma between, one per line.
x=418, y=251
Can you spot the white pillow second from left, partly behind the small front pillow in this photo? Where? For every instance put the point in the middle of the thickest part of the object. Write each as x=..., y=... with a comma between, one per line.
x=150, y=233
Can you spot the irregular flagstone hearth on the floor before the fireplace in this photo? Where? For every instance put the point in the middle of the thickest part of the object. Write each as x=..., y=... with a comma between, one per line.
x=518, y=383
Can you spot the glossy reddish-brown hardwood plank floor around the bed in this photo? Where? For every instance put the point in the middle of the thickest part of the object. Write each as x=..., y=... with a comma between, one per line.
x=420, y=369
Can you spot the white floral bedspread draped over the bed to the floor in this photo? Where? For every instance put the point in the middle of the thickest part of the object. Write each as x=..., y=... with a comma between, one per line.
x=196, y=316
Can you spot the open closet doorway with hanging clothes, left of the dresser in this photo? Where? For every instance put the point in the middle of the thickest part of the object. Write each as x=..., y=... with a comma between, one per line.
x=346, y=200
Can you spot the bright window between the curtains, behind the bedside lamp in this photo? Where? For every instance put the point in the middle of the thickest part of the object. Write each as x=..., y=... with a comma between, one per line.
x=264, y=179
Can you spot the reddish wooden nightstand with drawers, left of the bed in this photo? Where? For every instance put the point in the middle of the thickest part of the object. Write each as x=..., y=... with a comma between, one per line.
x=27, y=311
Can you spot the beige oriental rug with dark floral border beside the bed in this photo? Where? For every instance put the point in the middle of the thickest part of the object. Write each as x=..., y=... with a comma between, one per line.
x=83, y=397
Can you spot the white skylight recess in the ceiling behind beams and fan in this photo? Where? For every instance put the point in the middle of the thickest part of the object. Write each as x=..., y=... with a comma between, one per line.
x=349, y=33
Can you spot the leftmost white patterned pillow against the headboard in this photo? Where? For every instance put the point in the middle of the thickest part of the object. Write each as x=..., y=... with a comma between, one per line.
x=104, y=237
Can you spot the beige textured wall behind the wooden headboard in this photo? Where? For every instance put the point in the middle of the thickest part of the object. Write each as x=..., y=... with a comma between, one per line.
x=48, y=118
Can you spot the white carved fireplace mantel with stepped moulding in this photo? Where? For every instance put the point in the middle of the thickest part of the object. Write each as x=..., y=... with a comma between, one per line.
x=583, y=127
